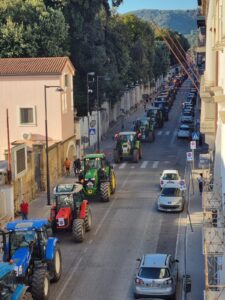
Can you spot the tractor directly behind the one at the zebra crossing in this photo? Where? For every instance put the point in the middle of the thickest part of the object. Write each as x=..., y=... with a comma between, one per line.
x=145, y=127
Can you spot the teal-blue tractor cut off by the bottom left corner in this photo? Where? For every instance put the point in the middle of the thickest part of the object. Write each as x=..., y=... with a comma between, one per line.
x=10, y=289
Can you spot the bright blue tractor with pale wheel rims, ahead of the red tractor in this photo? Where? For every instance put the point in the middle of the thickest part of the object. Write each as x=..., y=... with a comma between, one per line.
x=36, y=256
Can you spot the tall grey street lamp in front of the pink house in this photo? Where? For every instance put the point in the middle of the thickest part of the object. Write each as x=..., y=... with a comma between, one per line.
x=58, y=89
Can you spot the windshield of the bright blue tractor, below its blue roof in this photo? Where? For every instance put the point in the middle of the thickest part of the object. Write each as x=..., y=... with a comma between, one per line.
x=21, y=239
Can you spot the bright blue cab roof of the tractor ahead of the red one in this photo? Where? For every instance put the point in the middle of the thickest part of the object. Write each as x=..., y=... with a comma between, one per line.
x=20, y=225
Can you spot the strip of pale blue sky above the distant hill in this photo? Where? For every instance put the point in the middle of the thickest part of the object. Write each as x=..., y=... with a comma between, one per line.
x=131, y=5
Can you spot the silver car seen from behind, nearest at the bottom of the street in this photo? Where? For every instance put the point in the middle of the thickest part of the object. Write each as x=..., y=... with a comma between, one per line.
x=157, y=277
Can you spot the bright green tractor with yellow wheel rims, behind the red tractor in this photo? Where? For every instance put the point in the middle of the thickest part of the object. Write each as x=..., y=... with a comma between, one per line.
x=97, y=176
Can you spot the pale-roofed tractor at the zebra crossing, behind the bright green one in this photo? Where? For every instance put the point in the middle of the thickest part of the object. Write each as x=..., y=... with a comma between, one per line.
x=128, y=146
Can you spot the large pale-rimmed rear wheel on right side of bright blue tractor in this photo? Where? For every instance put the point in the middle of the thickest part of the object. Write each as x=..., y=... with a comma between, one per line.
x=55, y=265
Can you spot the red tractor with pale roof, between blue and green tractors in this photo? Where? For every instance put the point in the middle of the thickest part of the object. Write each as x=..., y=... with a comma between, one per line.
x=70, y=211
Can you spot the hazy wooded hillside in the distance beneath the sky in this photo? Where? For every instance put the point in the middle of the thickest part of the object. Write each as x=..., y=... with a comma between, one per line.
x=183, y=21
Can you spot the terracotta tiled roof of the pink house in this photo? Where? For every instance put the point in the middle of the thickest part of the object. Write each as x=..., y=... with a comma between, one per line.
x=31, y=66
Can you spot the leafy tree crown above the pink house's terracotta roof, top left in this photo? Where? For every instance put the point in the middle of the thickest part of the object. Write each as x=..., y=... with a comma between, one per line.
x=29, y=29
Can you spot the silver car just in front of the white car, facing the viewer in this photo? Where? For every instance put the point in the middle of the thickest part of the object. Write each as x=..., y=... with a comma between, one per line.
x=171, y=198
